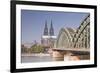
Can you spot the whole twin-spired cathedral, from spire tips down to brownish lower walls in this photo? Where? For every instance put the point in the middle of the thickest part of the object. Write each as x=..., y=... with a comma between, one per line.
x=48, y=38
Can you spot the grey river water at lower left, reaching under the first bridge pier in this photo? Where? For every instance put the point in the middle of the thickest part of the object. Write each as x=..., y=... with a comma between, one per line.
x=32, y=59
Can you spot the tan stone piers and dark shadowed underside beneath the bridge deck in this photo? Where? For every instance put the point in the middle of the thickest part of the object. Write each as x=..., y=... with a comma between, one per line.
x=63, y=55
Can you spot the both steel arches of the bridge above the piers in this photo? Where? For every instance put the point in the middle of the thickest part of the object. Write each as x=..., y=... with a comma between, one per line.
x=75, y=39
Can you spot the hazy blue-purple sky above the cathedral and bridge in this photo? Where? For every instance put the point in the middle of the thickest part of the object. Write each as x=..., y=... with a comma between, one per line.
x=33, y=22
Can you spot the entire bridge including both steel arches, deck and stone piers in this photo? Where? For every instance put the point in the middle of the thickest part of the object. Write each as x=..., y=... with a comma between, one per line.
x=74, y=41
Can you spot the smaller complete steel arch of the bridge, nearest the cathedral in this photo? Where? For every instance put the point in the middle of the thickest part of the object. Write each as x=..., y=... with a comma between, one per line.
x=64, y=39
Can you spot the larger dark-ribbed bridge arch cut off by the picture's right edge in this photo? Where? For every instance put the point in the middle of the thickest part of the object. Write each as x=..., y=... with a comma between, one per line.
x=82, y=35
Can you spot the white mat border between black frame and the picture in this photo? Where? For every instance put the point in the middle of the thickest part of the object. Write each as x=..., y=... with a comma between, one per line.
x=20, y=65
